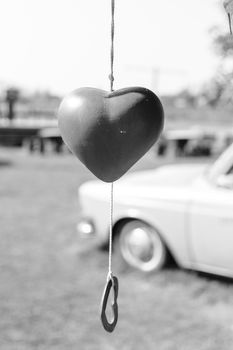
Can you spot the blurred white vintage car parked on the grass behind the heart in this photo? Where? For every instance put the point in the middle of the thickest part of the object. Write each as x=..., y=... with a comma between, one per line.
x=185, y=211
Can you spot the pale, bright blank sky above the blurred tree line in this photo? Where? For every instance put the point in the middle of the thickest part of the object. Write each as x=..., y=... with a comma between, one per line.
x=61, y=45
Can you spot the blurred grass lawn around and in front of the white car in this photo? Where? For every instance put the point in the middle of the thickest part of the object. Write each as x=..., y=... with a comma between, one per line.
x=51, y=281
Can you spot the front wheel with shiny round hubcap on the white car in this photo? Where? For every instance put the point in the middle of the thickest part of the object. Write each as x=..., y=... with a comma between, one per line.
x=141, y=247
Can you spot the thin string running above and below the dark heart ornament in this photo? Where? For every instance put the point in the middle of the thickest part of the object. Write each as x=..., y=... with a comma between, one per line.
x=111, y=78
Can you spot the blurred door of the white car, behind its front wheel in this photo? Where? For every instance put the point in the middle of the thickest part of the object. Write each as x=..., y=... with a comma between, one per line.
x=211, y=226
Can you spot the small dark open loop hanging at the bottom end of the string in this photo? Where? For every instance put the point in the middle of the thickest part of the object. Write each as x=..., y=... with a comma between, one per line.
x=112, y=282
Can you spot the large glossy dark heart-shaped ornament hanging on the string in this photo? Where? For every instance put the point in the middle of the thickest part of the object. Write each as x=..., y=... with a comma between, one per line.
x=110, y=131
